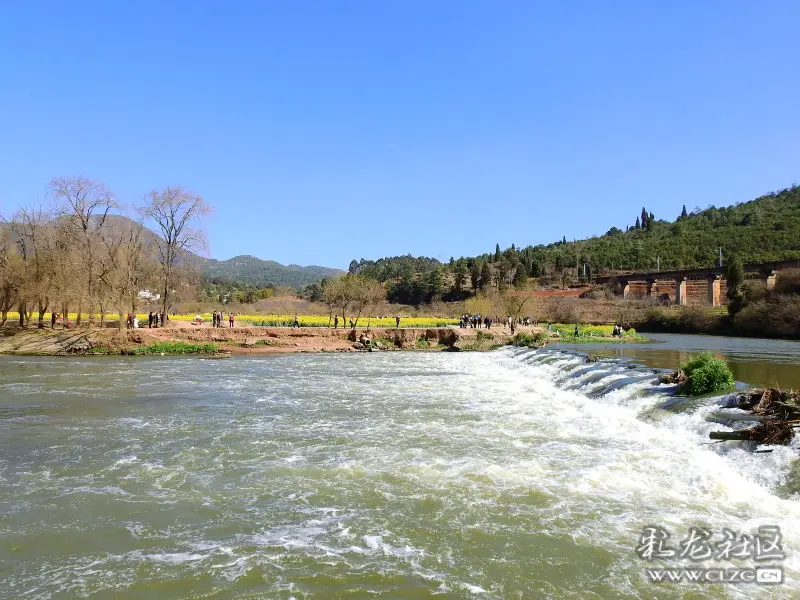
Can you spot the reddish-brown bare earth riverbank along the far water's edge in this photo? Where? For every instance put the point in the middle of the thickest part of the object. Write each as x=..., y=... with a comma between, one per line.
x=182, y=338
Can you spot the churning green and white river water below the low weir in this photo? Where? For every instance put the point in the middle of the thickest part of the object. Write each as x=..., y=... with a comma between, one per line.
x=510, y=474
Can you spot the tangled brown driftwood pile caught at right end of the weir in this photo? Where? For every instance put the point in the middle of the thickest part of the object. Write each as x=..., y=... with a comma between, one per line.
x=779, y=412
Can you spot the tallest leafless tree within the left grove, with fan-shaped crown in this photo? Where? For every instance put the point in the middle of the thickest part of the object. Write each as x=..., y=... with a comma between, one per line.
x=85, y=205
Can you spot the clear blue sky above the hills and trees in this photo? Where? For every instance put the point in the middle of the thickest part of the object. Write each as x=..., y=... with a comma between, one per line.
x=326, y=131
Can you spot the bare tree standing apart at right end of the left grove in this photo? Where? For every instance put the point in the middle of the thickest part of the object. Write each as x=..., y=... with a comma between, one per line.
x=176, y=212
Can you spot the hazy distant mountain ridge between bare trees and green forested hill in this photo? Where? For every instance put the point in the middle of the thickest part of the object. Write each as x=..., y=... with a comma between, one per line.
x=255, y=271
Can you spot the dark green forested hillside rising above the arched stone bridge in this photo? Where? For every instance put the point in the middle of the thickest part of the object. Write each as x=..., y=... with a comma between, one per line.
x=765, y=229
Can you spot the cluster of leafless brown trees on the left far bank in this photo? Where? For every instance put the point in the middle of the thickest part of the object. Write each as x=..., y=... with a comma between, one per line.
x=75, y=251
